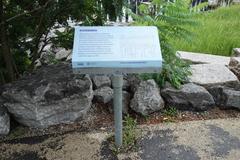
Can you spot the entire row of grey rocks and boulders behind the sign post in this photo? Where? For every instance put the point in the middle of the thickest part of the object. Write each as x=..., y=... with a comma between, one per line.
x=54, y=95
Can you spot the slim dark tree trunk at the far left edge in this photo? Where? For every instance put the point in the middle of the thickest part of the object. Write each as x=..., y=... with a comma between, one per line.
x=5, y=50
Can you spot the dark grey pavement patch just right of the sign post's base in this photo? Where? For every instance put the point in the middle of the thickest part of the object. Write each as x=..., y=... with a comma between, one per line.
x=160, y=146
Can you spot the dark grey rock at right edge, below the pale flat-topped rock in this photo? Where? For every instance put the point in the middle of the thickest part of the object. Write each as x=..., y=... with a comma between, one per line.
x=226, y=97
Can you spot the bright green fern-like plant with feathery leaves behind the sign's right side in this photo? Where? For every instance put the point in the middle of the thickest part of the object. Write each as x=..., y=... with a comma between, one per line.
x=171, y=19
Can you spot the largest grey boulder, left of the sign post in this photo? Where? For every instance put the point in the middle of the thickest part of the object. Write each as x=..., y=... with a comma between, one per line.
x=49, y=96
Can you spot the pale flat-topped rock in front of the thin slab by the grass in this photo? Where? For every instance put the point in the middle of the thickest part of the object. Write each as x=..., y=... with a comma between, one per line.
x=212, y=74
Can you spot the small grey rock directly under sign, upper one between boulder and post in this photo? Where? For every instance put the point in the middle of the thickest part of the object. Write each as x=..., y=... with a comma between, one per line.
x=100, y=81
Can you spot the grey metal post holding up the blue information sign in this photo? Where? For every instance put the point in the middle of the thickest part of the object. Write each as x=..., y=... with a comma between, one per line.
x=117, y=82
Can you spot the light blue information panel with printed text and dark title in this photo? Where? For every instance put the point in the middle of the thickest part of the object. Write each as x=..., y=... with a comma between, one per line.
x=116, y=48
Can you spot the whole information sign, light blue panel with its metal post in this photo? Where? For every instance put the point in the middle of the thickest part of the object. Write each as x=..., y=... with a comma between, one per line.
x=116, y=51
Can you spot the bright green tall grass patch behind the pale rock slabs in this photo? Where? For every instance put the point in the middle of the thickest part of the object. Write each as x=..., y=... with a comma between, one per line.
x=218, y=33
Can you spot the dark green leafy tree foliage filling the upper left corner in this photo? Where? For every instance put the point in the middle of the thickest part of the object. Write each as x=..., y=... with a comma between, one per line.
x=26, y=27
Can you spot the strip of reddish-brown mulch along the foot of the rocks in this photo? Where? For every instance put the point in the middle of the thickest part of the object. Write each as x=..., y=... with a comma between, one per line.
x=101, y=119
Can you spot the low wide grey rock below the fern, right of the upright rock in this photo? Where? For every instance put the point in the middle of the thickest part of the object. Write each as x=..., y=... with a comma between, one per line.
x=190, y=96
